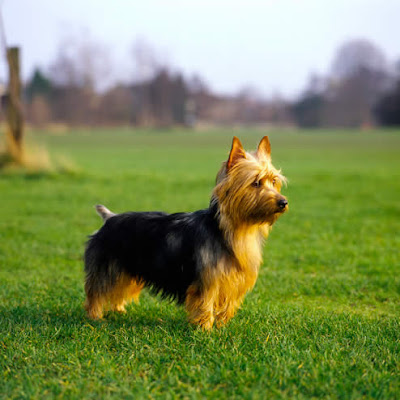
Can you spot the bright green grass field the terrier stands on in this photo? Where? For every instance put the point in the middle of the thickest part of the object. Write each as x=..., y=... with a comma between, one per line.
x=322, y=320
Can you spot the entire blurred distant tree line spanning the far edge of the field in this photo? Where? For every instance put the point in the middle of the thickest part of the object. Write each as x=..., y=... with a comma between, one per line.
x=361, y=90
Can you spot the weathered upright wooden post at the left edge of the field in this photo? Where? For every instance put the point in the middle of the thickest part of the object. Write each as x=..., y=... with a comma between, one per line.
x=14, y=104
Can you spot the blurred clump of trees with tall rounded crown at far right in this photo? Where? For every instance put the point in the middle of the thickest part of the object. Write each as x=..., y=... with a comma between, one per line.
x=361, y=90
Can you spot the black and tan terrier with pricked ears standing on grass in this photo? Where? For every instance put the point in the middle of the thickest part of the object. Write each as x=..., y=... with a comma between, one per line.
x=206, y=260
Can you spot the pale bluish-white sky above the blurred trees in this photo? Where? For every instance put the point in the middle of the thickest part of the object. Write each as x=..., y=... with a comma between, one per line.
x=272, y=46
